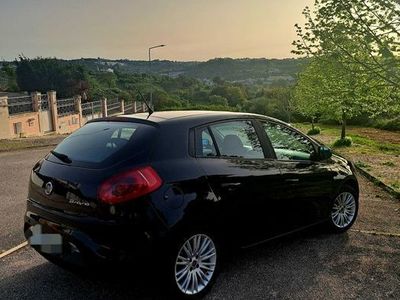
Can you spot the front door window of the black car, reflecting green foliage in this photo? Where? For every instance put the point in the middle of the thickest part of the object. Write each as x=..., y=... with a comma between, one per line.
x=287, y=143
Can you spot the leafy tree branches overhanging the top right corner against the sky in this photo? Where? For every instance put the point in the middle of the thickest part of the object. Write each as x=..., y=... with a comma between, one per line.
x=372, y=26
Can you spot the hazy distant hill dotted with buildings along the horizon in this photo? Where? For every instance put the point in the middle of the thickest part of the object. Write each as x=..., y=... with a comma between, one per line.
x=245, y=70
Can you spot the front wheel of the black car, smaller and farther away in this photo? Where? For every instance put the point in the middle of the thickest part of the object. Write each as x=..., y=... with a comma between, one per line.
x=344, y=210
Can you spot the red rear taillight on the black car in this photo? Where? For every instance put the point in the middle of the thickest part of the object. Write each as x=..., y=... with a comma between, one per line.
x=129, y=185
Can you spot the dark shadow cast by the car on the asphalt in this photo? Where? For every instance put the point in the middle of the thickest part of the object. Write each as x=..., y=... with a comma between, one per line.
x=269, y=269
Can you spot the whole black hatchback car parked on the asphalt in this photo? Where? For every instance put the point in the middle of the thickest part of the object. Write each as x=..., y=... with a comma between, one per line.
x=181, y=186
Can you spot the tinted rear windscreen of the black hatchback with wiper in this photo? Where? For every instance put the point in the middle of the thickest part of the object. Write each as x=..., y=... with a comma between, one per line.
x=104, y=143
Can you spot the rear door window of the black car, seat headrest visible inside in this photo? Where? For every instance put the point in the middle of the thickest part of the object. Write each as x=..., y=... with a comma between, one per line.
x=237, y=139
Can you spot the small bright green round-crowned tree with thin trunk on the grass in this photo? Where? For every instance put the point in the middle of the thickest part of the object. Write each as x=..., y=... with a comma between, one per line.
x=328, y=88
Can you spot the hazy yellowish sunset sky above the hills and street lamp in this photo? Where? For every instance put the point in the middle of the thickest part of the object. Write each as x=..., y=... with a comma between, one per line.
x=192, y=29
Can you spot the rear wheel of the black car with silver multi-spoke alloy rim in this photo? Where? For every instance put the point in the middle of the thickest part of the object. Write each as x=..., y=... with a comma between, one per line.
x=193, y=265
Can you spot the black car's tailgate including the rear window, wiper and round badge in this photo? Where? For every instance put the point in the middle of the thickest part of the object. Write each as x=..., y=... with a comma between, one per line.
x=68, y=179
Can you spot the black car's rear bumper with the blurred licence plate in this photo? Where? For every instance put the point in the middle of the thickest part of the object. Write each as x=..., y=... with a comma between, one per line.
x=90, y=239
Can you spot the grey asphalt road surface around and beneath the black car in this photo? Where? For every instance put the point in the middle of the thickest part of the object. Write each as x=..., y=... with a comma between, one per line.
x=360, y=264
